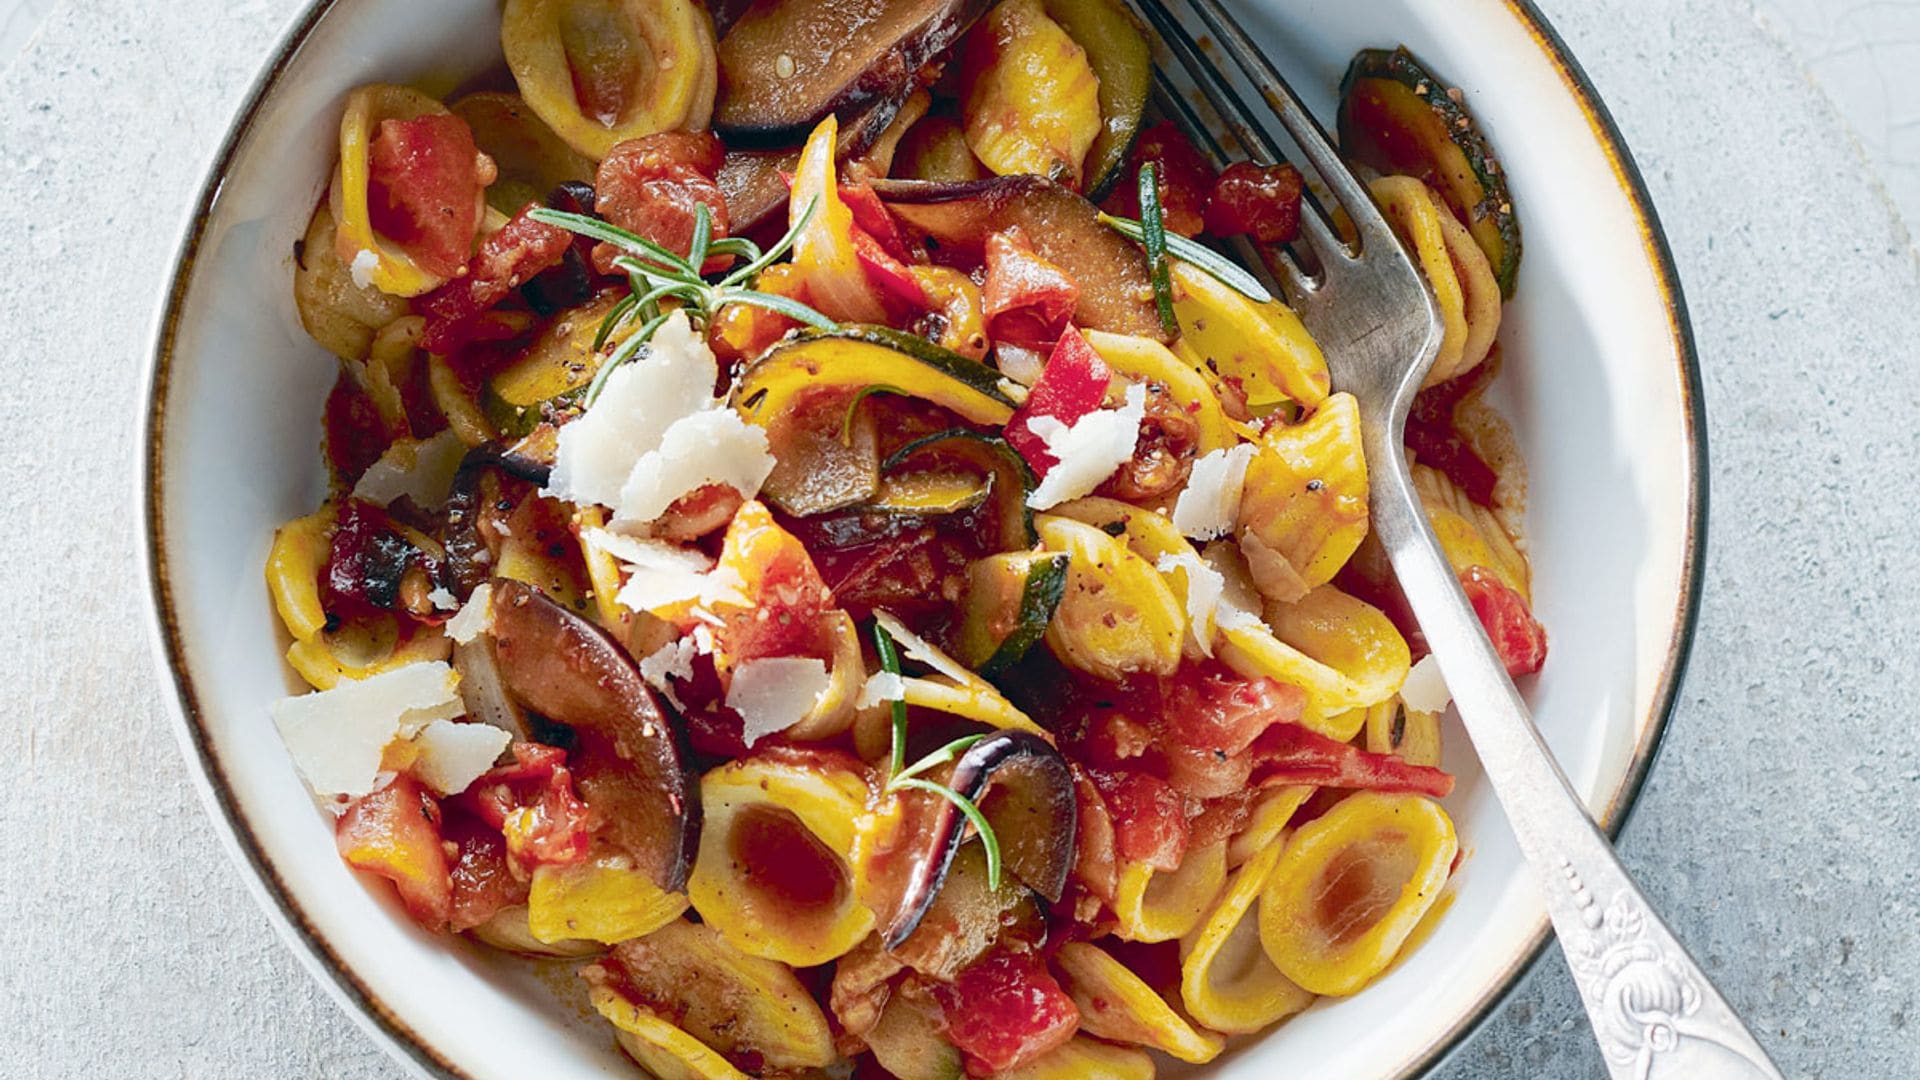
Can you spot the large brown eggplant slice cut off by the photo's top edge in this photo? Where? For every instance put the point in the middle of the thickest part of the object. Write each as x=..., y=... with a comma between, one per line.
x=786, y=64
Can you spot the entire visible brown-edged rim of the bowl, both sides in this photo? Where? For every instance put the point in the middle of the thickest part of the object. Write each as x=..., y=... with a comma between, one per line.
x=393, y=1031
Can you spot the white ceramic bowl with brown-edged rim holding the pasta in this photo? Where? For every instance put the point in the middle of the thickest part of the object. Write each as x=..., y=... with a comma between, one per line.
x=1600, y=383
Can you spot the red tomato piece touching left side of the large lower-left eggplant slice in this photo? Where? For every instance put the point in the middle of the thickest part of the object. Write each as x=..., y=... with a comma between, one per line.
x=535, y=806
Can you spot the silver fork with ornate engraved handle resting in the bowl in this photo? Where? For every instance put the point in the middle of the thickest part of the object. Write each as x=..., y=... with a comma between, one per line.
x=1652, y=1008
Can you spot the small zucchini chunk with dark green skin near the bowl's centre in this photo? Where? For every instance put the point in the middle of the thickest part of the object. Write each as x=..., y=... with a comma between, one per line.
x=1011, y=599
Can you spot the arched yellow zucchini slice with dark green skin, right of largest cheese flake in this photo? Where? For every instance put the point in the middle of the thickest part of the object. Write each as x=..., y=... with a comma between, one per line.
x=871, y=356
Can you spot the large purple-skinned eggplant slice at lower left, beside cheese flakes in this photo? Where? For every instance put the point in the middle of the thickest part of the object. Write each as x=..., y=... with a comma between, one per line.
x=631, y=754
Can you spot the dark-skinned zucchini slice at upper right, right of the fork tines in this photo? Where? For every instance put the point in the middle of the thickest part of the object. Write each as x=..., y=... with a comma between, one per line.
x=1397, y=118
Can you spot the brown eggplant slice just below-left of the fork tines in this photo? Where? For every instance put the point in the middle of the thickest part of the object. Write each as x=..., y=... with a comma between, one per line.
x=1116, y=289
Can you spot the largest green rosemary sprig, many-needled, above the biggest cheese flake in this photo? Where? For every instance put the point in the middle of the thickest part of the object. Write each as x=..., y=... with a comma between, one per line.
x=663, y=282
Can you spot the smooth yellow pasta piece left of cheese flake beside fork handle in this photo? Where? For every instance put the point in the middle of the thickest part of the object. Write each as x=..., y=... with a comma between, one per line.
x=1351, y=637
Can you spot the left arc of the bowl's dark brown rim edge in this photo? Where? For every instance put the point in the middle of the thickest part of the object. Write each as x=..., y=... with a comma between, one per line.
x=368, y=1010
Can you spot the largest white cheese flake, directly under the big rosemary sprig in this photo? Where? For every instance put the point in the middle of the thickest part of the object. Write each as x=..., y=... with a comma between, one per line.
x=658, y=433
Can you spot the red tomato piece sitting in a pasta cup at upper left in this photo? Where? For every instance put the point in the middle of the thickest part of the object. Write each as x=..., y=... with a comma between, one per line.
x=423, y=189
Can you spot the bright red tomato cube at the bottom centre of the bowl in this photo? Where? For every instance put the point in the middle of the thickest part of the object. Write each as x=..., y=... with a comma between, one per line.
x=1005, y=1010
